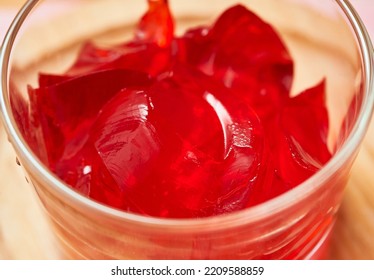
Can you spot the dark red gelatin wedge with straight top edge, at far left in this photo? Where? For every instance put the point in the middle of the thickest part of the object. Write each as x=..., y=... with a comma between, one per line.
x=67, y=109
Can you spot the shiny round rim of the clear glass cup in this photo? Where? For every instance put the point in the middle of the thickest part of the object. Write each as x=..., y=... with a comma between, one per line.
x=251, y=214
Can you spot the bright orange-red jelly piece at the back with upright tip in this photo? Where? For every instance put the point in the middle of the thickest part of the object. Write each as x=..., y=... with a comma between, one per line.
x=149, y=52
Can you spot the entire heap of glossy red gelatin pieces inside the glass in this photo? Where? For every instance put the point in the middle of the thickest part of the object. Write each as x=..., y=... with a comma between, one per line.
x=181, y=127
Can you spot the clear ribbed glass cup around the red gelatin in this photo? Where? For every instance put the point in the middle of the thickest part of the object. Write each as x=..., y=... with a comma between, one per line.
x=326, y=39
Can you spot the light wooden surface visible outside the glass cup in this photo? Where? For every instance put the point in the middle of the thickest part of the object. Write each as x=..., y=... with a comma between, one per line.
x=25, y=234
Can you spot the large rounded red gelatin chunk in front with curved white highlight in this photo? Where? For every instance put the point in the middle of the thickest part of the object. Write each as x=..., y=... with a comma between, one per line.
x=202, y=165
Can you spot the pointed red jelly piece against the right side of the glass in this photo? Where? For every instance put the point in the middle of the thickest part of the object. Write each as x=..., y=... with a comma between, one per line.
x=297, y=140
